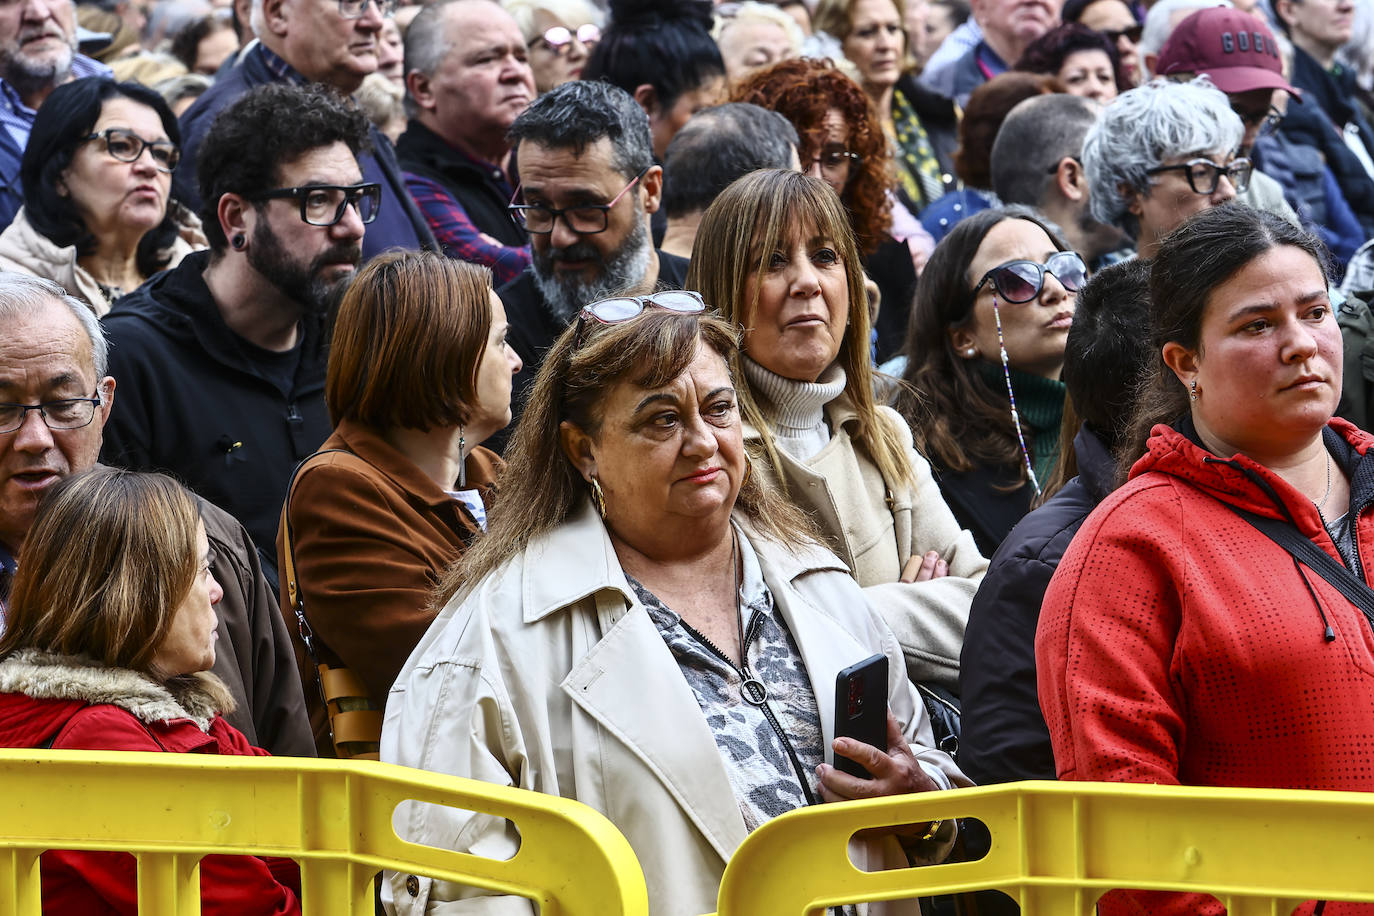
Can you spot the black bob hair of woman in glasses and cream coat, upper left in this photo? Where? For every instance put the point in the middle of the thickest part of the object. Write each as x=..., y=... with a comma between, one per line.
x=65, y=122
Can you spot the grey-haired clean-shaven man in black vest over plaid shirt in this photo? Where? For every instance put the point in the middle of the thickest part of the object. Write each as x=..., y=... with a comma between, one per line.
x=466, y=82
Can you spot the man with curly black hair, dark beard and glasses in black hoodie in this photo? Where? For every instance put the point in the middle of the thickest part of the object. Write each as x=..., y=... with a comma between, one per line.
x=222, y=359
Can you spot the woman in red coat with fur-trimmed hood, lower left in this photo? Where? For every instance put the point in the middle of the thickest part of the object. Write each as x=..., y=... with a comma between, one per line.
x=109, y=642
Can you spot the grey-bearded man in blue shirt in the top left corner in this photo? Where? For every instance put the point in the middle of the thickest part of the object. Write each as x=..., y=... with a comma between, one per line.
x=38, y=54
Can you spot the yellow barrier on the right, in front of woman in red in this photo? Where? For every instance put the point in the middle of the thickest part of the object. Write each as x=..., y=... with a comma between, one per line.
x=1059, y=847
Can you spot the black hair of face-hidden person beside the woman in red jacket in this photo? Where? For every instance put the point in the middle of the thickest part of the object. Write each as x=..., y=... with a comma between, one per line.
x=1108, y=348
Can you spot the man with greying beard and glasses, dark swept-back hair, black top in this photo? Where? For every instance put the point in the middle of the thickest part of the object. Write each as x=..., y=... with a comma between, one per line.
x=589, y=187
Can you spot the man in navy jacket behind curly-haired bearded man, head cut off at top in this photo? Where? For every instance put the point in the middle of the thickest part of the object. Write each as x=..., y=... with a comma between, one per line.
x=330, y=43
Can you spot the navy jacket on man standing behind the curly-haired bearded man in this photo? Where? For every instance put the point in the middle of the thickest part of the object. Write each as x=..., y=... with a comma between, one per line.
x=399, y=223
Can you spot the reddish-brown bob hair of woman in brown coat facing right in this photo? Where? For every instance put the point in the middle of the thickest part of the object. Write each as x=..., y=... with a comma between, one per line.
x=409, y=343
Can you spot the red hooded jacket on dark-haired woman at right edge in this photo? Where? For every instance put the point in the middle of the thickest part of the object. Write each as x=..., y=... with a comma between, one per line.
x=1181, y=646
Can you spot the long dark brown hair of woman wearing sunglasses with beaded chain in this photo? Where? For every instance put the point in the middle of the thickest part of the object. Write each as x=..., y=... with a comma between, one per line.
x=958, y=420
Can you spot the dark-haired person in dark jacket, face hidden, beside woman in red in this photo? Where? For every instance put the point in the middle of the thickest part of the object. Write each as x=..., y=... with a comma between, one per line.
x=1005, y=737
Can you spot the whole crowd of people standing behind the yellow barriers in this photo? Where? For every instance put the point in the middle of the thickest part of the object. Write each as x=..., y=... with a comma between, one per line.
x=563, y=393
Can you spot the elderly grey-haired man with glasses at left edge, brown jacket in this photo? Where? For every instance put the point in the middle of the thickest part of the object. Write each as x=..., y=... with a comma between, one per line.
x=57, y=396
